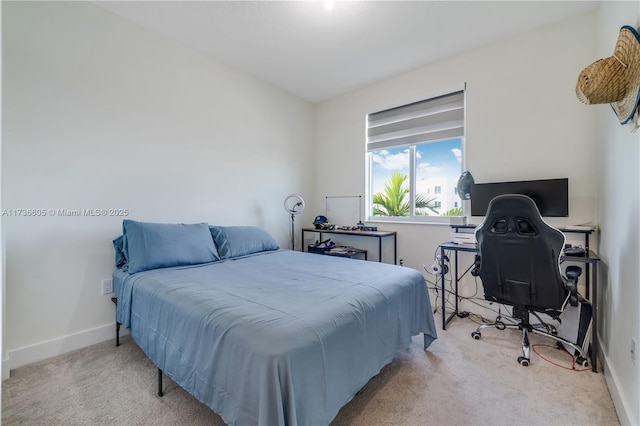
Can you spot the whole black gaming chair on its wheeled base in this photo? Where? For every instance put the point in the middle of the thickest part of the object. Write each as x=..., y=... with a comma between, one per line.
x=519, y=265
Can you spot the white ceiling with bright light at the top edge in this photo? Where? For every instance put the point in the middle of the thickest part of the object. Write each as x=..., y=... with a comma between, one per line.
x=317, y=54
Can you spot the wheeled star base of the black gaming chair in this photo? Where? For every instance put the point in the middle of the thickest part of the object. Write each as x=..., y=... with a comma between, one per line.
x=526, y=328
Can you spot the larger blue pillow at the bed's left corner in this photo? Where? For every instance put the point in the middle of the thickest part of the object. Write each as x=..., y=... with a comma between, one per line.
x=160, y=245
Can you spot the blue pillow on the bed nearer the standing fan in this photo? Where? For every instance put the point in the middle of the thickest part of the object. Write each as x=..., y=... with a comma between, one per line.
x=234, y=241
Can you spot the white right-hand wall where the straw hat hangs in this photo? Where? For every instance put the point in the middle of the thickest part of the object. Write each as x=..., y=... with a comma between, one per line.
x=619, y=170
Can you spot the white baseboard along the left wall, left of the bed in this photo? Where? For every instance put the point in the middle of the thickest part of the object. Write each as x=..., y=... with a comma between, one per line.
x=51, y=348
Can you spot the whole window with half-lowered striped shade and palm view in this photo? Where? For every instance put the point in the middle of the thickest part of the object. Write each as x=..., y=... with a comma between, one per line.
x=415, y=159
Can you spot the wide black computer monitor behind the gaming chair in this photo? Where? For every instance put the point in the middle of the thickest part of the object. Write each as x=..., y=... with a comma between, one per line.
x=550, y=195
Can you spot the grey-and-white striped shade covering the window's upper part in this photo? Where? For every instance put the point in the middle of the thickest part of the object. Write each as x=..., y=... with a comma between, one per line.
x=430, y=120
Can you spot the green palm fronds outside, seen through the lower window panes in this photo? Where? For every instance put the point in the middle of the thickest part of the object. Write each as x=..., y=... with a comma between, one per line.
x=392, y=202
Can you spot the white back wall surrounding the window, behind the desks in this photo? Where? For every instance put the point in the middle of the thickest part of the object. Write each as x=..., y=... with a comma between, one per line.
x=523, y=122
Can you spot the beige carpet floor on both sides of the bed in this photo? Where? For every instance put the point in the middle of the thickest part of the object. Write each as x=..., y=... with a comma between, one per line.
x=458, y=381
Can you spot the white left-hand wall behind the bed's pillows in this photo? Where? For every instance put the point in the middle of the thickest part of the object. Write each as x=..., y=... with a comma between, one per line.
x=100, y=113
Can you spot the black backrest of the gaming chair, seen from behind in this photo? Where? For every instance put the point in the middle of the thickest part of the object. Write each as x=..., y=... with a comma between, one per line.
x=520, y=255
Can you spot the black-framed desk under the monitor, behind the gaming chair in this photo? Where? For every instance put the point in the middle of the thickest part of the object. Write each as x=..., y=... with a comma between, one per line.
x=591, y=260
